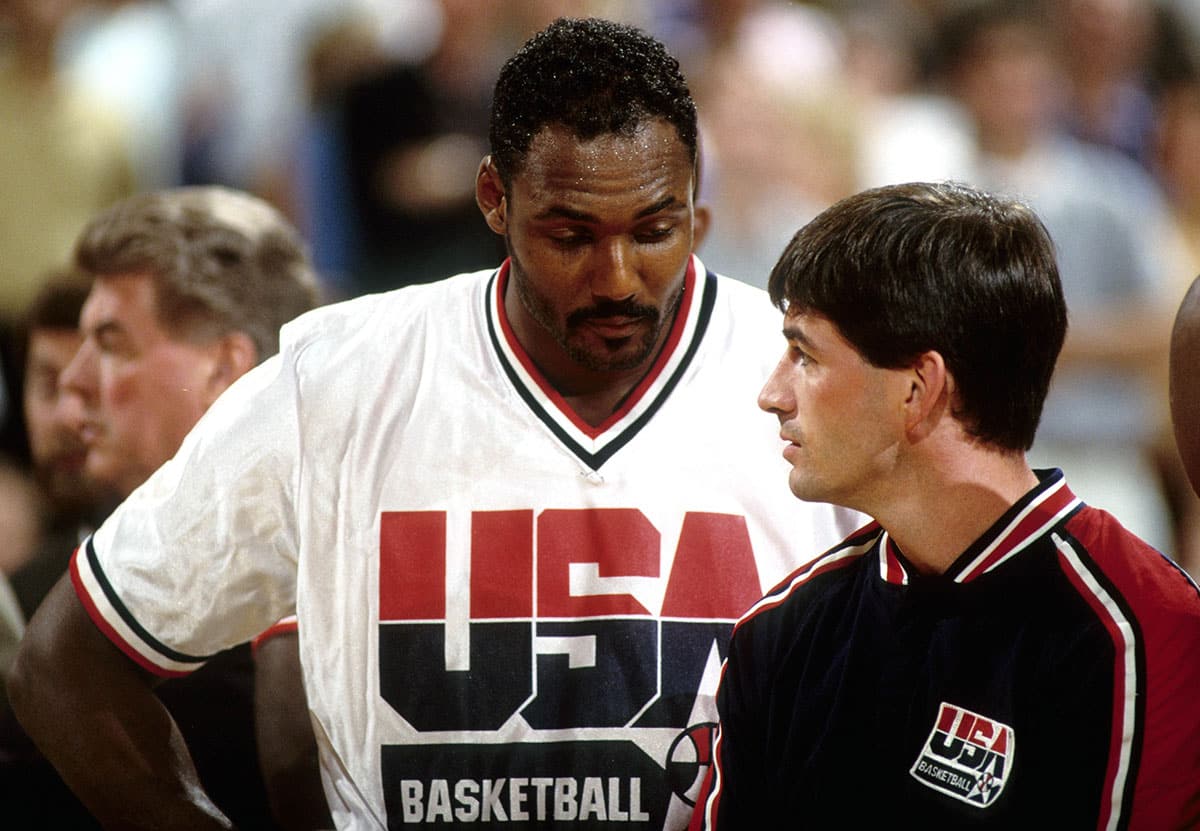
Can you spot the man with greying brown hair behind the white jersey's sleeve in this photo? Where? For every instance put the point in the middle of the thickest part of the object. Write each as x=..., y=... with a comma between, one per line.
x=190, y=290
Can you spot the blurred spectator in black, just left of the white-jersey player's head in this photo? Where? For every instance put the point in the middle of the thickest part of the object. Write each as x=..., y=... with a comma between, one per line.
x=411, y=133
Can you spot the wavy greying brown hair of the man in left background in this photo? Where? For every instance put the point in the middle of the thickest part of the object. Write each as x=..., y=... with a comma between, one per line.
x=223, y=261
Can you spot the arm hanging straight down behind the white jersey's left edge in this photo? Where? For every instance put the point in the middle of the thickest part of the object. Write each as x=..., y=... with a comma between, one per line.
x=287, y=750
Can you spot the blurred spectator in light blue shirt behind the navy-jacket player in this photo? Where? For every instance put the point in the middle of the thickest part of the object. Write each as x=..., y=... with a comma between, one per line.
x=1109, y=224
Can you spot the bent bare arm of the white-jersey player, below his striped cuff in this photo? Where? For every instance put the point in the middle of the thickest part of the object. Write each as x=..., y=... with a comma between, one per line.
x=94, y=714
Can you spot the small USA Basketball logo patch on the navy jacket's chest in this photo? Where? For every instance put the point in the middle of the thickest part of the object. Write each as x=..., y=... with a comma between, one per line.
x=968, y=757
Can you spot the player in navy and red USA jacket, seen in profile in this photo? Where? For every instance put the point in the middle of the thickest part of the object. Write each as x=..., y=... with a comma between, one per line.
x=992, y=653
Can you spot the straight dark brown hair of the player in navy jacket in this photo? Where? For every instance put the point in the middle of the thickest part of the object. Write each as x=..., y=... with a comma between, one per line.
x=910, y=268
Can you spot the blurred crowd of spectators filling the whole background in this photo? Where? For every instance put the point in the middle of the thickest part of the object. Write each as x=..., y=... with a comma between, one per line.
x=364, y=121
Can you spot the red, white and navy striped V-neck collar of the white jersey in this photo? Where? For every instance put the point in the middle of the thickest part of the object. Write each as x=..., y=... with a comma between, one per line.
x=596, y=445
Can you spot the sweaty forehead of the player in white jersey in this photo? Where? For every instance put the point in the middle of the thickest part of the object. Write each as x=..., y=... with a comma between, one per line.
x=652, y=160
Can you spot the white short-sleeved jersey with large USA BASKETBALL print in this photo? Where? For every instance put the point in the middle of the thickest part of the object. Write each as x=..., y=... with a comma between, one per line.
x=508, y=618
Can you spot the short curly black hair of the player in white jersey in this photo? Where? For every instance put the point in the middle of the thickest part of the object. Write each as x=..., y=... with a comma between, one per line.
x=593, y=77
